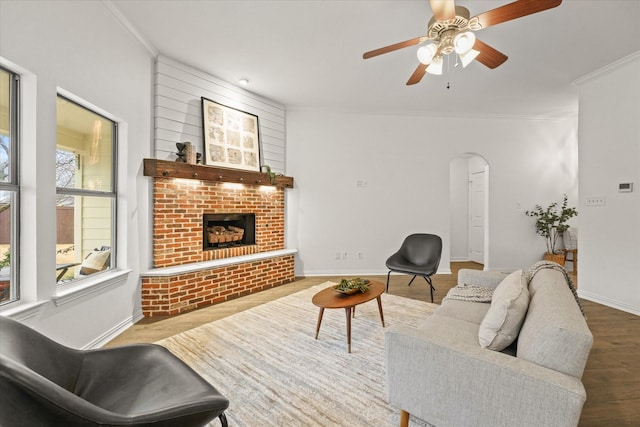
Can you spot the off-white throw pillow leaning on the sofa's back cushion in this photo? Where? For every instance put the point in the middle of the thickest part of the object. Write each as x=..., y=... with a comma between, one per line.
x=501, y=324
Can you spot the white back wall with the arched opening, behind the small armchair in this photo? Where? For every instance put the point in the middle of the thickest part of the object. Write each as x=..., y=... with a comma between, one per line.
x=405, y=161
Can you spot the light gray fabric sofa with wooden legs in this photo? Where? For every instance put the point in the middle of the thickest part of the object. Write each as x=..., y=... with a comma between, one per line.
x=439, y=373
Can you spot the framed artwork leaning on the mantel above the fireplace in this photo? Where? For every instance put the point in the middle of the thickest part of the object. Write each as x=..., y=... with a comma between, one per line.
x=230, y=137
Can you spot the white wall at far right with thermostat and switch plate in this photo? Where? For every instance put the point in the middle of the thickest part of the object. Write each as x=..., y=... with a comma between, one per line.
x=609, y=236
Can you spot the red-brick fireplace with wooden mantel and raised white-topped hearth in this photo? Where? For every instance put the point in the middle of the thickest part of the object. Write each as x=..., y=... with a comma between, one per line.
x=190, y=274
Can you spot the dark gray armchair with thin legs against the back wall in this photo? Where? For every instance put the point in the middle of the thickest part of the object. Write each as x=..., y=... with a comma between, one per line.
x=419, y=255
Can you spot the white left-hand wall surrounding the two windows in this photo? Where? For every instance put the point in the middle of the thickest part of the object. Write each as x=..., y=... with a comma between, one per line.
x=81, y=48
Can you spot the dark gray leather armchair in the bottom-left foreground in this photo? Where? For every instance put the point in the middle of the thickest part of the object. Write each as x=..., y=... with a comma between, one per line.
x=43, y=383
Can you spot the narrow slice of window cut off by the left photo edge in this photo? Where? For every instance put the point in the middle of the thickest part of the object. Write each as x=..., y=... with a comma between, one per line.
x=9, y=188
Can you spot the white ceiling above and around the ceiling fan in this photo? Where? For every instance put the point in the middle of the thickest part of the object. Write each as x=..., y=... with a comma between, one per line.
x=308, y=53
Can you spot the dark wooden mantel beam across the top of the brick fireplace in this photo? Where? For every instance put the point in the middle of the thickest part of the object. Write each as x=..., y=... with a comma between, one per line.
x=168, y=169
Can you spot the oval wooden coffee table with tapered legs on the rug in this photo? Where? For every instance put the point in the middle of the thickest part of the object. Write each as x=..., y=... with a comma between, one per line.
x=330, y=298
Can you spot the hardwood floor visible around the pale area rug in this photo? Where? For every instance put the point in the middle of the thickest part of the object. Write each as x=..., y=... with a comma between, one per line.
x=611, y=377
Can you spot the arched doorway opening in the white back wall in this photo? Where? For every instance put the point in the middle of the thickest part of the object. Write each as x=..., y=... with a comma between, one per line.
x=469, y=216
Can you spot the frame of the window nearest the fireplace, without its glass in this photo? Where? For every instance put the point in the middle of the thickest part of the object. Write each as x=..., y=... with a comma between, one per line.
x=112, y=194
